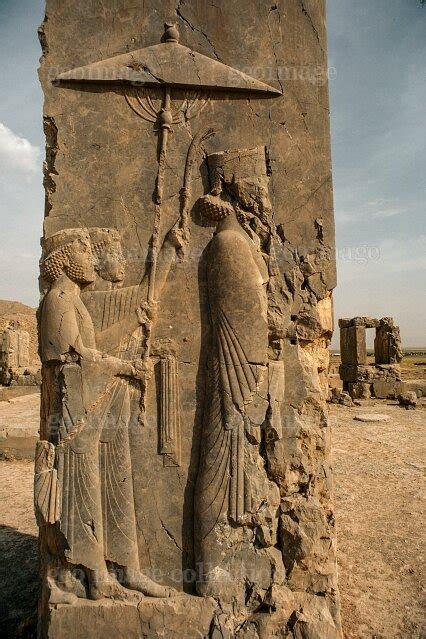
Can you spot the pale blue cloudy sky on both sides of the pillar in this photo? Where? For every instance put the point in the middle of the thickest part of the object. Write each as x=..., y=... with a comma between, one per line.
x=377, y=52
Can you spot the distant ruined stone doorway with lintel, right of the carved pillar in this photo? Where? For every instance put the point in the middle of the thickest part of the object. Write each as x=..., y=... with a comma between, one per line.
x=361, y=380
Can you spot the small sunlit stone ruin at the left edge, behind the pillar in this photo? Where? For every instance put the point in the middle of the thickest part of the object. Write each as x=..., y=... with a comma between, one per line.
x=16, y=369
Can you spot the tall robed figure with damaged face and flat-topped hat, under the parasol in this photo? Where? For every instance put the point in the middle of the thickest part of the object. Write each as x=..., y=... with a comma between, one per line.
x=236, y=390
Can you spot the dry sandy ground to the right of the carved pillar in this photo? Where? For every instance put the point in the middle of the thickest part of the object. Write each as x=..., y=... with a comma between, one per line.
x=379, y=488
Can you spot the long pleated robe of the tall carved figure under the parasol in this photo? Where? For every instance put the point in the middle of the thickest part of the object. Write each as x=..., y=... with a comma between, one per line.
x=238, y=310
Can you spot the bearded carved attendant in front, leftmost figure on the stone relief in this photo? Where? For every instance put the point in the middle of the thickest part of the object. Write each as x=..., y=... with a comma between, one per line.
x=83, y=484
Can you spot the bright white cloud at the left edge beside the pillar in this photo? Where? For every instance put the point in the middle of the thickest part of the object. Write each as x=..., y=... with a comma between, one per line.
x=18, y=153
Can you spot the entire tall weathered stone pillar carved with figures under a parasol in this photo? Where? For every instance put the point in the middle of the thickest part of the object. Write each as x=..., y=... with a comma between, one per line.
x=183, y=483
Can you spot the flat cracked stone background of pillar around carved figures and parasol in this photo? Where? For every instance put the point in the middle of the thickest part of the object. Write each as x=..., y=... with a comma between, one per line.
x=101, y=164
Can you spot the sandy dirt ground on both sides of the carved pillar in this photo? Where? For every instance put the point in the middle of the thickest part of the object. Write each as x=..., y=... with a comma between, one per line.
x=379, y=469
